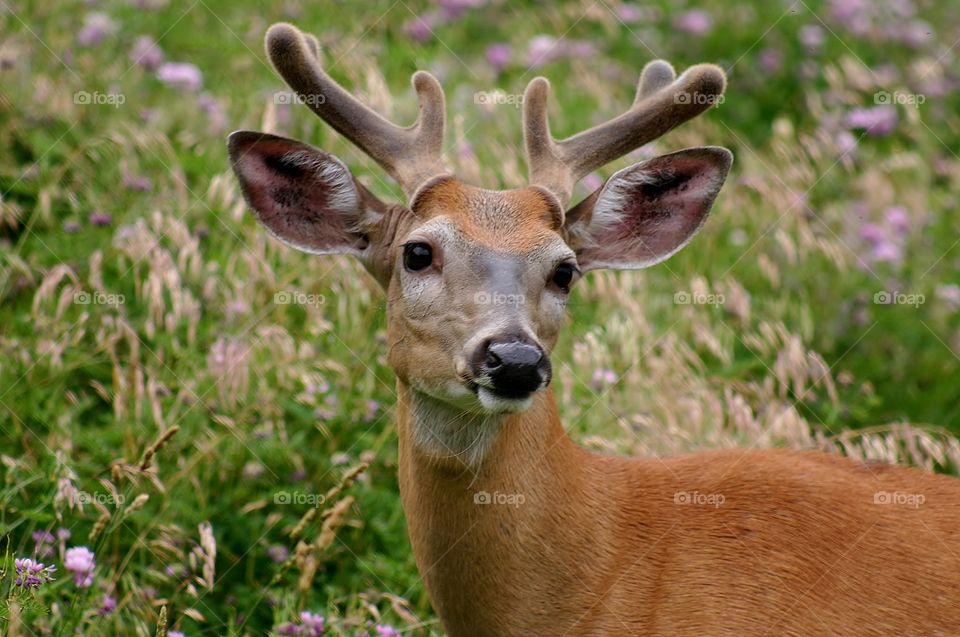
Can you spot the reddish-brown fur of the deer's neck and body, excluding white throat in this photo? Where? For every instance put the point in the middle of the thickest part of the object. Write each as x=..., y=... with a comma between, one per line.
x=599, y=546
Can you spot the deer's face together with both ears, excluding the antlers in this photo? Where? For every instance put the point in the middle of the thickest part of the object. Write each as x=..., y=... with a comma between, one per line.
x=477, y=280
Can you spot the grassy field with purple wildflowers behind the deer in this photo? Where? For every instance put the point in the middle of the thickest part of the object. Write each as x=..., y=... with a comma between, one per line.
x=196, y=431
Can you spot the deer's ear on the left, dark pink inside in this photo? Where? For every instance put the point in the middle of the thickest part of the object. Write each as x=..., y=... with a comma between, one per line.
x=305, y=197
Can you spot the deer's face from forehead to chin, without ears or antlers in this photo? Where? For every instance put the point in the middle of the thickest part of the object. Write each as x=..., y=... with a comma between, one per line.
x=477, y=295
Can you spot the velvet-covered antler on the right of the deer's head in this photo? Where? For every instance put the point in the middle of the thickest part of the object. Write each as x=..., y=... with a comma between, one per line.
x=662, y=102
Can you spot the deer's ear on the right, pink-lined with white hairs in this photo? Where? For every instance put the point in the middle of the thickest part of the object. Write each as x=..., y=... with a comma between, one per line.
x=647, y=212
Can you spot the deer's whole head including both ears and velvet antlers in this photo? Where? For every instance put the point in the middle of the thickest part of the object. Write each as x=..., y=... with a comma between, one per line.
x=477, y=280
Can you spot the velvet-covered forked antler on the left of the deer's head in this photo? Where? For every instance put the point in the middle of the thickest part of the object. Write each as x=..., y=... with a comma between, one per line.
x=410, y=155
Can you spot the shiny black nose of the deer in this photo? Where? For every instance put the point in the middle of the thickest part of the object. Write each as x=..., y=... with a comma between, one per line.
x=515, y=367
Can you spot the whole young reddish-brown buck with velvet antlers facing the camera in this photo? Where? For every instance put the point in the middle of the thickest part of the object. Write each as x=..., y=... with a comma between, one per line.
x=517, y=530
